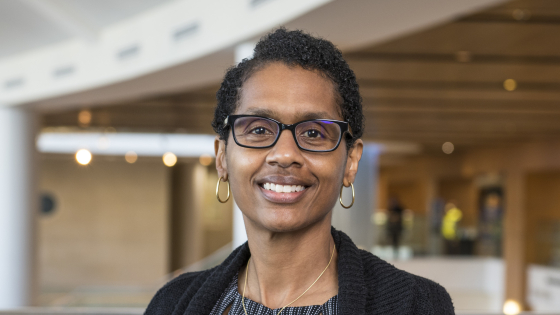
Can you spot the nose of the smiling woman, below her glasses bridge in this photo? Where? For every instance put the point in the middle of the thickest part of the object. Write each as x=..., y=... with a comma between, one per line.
x=285, y=152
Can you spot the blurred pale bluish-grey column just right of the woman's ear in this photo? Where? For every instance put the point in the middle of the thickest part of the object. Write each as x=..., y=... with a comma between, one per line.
x=356, y=221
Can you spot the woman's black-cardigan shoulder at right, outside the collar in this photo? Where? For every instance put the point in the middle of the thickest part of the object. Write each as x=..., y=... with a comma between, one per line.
x=412, y=292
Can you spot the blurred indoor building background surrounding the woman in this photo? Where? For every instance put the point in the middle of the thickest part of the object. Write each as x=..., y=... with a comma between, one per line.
x=107, y=175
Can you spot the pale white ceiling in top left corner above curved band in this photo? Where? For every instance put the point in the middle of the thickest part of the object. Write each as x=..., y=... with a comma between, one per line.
x=31, y=24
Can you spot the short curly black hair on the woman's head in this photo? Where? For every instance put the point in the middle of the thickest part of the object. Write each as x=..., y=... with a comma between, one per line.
x=293, y=48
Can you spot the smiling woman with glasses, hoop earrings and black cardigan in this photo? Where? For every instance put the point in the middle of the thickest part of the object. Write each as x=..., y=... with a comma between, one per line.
x=286, y=183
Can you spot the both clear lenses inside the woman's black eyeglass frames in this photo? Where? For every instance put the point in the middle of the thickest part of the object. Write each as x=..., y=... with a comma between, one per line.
x=315, y=135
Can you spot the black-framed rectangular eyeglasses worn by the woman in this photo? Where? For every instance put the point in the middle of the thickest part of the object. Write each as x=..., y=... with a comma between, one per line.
x=315, y=135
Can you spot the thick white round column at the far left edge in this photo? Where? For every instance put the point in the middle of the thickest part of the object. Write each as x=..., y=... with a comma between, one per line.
x=18, y=207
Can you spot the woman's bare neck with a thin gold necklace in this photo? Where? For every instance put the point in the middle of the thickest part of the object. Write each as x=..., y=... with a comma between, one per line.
x=283, y=265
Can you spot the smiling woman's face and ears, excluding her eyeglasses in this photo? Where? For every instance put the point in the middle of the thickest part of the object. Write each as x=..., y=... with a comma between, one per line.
x=289, y=95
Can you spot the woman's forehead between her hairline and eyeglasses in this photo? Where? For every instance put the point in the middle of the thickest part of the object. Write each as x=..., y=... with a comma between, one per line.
x=288, y=94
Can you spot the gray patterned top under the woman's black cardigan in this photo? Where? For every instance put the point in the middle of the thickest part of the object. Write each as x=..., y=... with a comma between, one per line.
x=232, y=297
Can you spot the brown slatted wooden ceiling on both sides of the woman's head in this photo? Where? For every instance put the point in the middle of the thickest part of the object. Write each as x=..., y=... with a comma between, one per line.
x=441, y=84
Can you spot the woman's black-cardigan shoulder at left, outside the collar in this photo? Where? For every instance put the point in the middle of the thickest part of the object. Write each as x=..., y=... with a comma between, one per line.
x=166, y=298
